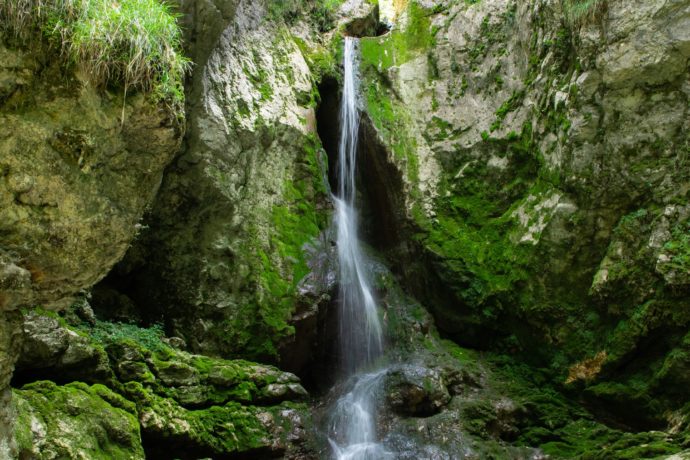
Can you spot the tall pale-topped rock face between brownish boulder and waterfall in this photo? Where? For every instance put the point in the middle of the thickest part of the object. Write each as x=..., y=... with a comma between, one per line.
x=224, y=254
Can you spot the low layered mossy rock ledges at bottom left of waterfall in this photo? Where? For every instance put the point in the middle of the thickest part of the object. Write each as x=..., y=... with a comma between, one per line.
x=145, y=394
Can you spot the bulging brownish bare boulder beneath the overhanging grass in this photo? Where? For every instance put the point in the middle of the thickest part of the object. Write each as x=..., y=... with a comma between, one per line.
x=77, y=168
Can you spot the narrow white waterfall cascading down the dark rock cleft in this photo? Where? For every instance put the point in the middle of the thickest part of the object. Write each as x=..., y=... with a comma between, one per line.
x=352, y=428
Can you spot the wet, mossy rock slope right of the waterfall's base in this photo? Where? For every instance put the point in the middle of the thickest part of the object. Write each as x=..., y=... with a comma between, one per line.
x=442, y=401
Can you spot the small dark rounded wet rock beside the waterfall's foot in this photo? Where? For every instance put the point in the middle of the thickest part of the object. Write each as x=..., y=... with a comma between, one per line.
x=415, y=390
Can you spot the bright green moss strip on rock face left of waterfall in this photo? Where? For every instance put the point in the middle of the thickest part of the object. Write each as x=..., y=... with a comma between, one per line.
x=278, y=265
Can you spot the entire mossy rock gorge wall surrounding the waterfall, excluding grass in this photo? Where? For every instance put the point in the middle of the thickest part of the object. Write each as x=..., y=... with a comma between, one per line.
x=524, y=173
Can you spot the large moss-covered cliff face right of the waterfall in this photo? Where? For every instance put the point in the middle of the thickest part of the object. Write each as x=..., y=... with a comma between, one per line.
x=542, y=156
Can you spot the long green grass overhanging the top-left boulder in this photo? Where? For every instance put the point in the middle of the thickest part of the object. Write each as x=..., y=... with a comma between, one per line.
x=134, y=42
